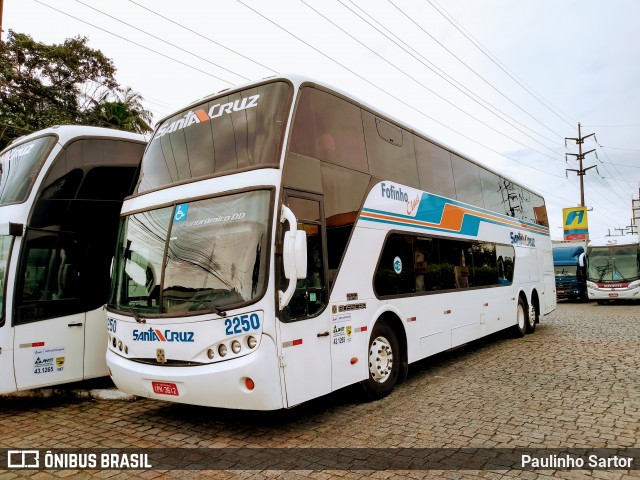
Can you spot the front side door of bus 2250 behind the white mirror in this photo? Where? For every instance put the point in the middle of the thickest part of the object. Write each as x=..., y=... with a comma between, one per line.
x=305, y=326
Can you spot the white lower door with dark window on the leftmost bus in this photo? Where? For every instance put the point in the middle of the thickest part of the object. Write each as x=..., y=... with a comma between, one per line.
x=49, y=321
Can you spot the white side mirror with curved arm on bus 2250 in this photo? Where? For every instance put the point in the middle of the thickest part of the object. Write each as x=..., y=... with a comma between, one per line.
x=294, y=256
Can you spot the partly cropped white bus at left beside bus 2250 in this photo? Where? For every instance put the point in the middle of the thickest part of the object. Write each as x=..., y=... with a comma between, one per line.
x=61, y=191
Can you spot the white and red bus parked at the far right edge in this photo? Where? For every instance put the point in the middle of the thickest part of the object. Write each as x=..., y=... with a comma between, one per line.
x=613, y=268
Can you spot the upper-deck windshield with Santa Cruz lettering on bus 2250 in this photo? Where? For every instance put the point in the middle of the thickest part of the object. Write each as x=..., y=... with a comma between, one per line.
x=226, y=134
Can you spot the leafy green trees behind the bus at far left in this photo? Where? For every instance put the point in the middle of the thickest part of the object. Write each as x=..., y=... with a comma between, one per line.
x=43, y=85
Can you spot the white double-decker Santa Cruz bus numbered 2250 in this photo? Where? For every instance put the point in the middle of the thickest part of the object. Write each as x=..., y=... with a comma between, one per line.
x=286, y=240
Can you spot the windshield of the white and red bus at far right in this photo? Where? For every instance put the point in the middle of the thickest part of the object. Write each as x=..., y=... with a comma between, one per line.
x=613, y=264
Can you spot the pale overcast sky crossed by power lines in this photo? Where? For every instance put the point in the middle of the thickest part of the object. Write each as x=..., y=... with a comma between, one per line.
x=502, y=81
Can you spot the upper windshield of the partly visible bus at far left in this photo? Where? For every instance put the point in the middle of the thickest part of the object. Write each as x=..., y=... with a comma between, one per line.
x=19, y=167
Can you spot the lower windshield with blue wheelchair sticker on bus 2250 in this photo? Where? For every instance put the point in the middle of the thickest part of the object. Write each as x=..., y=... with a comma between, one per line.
x=214, y=254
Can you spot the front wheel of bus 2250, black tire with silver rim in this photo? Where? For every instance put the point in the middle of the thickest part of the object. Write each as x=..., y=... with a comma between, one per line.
x=384, y=360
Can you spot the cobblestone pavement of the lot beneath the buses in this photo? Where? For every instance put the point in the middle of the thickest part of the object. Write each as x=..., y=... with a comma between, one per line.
x=574, y=383
